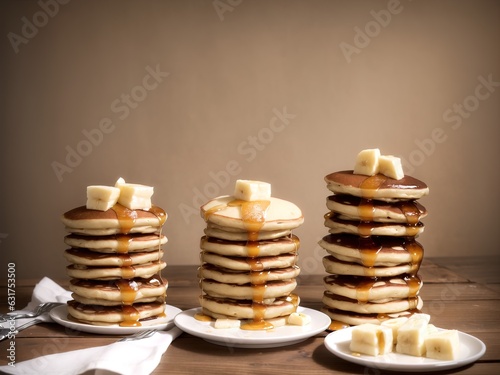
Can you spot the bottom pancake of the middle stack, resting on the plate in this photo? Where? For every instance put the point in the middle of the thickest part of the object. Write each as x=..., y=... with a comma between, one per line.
x=241, y=309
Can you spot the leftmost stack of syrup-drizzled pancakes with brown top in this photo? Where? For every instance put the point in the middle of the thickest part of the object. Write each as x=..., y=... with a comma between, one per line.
x=116, y=262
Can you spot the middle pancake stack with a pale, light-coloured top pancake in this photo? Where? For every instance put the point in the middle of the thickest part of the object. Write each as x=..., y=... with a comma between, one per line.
x=248, y=261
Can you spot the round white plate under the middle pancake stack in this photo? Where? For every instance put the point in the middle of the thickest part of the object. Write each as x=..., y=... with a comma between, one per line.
x=239, y=338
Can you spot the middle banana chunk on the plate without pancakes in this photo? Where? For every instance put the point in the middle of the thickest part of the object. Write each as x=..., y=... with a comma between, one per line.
x=412, y=334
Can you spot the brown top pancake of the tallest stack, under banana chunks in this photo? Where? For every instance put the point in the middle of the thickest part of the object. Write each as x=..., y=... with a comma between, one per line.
x=377, y=187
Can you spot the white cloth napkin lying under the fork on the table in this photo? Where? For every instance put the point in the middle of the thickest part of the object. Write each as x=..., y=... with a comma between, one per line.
x=129, y=357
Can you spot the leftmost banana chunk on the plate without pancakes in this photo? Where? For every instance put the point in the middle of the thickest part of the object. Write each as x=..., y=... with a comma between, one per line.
x=371, y=339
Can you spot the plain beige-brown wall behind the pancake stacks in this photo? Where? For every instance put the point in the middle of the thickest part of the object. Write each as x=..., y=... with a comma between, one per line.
x=283, y=91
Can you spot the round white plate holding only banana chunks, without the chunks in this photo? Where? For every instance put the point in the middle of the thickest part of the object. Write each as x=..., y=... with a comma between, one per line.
x=471, y=349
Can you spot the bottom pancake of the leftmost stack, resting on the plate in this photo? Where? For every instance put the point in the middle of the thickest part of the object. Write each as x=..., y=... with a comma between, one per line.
x=124, y=315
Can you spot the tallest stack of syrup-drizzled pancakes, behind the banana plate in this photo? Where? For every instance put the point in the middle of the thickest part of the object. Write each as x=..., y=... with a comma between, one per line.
x=373, y=256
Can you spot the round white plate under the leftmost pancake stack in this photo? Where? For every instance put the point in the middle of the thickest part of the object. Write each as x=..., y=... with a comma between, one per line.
x=60, y=315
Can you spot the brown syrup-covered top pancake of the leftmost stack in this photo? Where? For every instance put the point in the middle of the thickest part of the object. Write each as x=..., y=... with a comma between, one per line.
x=116, y=220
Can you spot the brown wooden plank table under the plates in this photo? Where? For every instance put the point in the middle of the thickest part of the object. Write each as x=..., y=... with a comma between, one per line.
x=460, y=293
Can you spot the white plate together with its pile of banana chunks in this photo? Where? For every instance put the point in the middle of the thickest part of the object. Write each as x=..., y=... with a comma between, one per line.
x=416, y=347
